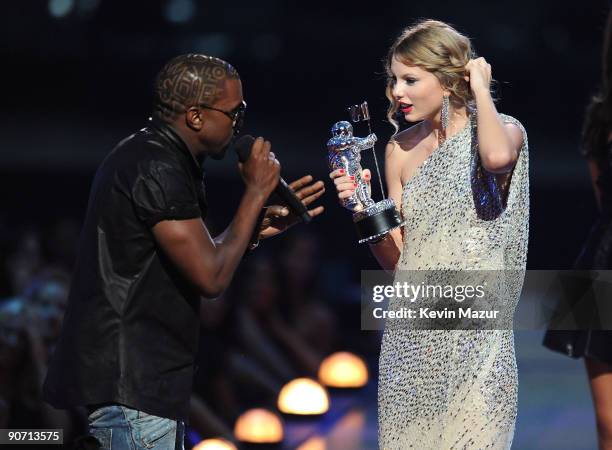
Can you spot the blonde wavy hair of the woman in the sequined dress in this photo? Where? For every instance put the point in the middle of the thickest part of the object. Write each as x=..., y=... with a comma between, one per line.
x=438, y=48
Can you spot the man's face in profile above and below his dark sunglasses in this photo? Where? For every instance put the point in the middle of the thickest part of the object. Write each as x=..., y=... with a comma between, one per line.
x=218, y=130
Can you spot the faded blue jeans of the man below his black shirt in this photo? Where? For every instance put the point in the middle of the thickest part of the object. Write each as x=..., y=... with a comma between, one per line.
x=118, y=427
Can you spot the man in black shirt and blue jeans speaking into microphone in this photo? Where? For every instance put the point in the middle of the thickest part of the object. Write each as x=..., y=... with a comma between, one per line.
x=130, y=333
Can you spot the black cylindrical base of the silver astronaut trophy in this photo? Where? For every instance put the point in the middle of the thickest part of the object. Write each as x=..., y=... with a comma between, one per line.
x=377, y=220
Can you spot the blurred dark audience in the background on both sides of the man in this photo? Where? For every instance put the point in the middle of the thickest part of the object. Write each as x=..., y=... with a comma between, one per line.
x=275, y=323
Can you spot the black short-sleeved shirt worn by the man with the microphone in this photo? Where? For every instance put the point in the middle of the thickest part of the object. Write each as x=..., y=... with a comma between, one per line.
x=130, y=333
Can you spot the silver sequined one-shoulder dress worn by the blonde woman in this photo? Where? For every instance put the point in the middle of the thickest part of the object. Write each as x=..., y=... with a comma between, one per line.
x=456, y=389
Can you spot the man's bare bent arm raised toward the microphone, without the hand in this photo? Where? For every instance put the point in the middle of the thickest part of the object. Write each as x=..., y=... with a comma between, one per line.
x=210, y=266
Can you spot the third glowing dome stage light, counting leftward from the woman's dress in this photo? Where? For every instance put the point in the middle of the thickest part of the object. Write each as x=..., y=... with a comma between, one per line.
x=259, y=426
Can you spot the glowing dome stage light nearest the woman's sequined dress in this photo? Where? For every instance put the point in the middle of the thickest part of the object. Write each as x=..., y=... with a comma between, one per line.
x=343, y=370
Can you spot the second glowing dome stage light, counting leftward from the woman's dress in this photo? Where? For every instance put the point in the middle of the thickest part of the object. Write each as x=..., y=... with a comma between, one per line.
x=304, y=397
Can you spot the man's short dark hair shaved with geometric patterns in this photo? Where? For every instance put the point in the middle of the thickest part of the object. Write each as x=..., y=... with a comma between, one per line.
x=189, y=80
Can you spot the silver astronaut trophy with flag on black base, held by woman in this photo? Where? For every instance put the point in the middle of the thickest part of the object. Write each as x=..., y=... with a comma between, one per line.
x=372, y=220
